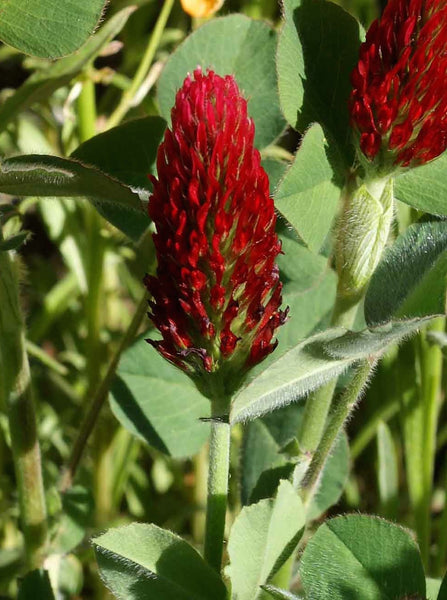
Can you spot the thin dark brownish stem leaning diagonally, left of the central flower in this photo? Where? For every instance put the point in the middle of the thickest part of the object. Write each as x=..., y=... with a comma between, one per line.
x=99, y=398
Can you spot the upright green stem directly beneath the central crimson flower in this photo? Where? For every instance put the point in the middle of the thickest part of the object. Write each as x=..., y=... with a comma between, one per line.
x=219, y=464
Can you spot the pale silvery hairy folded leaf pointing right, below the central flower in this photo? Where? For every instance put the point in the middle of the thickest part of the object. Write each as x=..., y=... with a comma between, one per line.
x=312, y=363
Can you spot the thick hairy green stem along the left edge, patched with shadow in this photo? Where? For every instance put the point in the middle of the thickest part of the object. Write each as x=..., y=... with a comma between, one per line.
x=15, y=381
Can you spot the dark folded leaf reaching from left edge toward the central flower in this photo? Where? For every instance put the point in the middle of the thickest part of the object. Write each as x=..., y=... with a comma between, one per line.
x=41, y=175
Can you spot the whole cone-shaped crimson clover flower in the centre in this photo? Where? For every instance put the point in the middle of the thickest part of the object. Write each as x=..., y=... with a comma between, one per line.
x=216, y=293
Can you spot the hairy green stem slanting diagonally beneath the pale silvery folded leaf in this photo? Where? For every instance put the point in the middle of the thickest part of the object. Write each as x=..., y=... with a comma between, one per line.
x=339, y=414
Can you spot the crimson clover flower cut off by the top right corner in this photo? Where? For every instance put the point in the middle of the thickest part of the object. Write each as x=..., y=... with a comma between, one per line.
x=399, y=97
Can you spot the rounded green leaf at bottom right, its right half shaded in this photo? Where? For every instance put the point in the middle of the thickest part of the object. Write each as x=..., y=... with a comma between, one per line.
x=361, y=557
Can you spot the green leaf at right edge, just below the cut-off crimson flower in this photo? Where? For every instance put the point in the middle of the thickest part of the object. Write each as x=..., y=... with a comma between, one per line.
x=425, y=188
